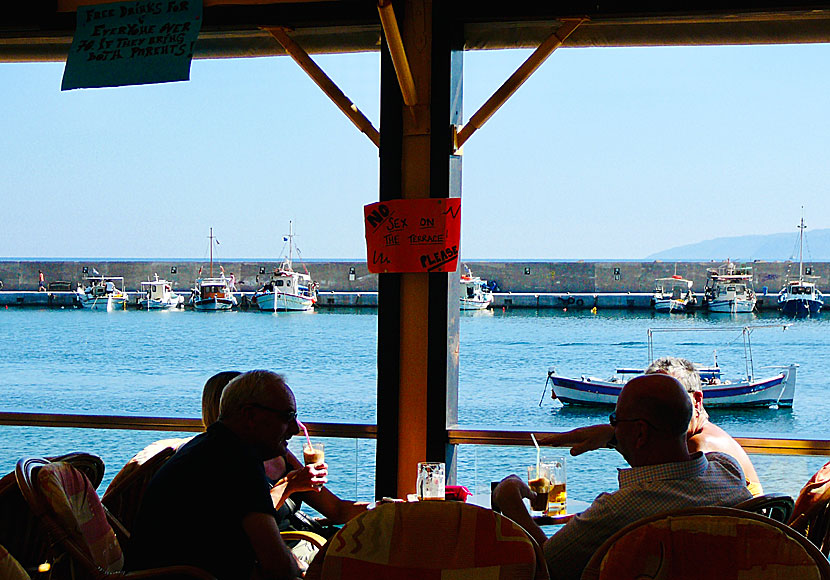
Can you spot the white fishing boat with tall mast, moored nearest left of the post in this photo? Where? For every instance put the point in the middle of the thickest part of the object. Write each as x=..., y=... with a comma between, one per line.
x=286, y=289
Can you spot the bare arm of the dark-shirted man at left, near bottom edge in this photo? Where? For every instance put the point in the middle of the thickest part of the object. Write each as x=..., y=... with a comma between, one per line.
x=275, y=561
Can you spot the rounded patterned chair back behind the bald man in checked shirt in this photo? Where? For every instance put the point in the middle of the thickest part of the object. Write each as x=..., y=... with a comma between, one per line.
x=707, y=542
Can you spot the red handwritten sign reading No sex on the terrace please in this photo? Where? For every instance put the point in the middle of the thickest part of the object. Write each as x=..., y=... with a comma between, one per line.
x=413, y=235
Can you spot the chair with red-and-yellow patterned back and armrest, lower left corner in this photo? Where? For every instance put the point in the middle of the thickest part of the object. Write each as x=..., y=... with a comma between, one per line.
x=72, y=514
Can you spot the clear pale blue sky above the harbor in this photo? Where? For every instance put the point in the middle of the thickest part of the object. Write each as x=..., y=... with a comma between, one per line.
x=602, y=154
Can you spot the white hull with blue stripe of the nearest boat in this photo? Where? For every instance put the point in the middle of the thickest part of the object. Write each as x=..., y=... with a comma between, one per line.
x=776, y=390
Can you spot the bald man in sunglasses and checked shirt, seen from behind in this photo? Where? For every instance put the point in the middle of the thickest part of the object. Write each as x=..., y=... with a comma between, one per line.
x=649, y=425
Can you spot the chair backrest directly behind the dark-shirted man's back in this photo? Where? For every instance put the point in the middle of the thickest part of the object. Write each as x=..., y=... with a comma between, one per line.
x=123, y=495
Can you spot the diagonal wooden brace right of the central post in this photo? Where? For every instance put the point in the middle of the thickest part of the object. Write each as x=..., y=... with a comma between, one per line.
x=516, y=80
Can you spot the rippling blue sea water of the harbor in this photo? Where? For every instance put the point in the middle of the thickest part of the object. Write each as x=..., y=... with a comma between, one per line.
x=155, y=363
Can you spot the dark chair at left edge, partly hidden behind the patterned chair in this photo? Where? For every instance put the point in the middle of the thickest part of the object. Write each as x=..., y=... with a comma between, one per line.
x=20, y=532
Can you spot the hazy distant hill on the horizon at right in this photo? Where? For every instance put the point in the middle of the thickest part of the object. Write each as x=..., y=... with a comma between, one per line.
x=770, y=247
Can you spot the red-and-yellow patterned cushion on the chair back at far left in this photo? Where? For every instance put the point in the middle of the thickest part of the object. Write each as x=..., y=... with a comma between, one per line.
x=78, y=509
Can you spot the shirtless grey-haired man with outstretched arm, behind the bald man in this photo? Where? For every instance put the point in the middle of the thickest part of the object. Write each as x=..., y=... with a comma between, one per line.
x=703, y=435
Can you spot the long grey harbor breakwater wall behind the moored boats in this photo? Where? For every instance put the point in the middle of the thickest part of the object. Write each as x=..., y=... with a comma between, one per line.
x=578, y=277
